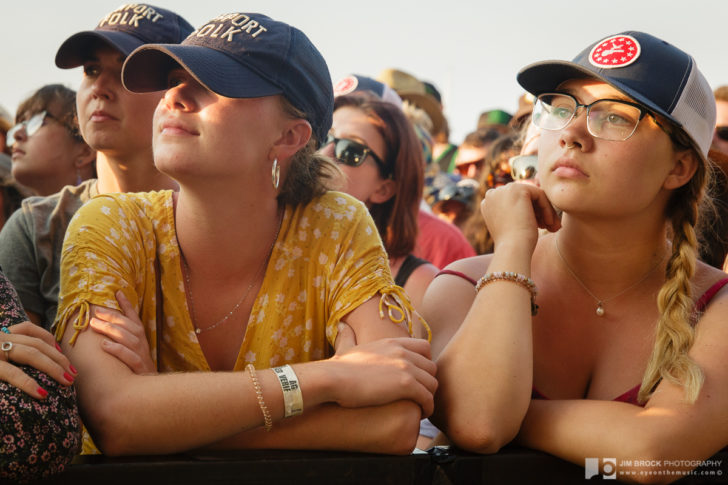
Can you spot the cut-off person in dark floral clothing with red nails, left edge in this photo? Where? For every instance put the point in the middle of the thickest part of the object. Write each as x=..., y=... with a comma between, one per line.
x=40, y=428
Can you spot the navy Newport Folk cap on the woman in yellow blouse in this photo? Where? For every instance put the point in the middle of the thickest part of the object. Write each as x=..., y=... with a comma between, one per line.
x=243, y=55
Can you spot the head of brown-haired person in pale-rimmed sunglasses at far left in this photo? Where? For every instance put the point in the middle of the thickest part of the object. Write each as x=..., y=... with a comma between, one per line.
x=48, y=151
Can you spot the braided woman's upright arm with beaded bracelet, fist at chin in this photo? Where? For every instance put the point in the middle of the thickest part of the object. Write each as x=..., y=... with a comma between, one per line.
x=486, y=370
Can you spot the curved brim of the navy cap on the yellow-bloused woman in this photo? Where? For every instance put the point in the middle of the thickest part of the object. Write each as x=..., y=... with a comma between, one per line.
x=146, y=70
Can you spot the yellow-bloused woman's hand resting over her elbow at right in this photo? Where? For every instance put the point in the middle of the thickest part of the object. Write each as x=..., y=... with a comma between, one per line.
x=383, y=371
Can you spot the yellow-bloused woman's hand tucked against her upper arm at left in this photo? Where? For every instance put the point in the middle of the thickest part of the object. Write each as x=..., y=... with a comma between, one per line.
x=126, y=339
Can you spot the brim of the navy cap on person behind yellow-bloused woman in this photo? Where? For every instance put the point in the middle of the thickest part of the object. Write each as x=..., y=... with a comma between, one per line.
x=76, y=49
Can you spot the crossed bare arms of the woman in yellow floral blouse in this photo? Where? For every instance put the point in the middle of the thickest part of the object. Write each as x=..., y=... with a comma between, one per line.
x=388, y=381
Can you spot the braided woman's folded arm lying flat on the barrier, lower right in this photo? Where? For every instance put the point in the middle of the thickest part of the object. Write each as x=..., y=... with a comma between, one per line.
x=668, y=429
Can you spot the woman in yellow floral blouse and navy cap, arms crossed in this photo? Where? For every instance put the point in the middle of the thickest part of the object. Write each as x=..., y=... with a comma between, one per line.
x=266, y=300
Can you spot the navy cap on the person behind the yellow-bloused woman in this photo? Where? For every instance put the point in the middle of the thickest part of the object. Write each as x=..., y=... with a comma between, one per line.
x=125, y=29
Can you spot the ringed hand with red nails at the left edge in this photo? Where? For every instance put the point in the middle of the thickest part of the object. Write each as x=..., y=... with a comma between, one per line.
x=26, y=344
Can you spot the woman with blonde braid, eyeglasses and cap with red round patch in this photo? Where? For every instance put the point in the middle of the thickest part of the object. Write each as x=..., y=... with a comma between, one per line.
x=622, y=350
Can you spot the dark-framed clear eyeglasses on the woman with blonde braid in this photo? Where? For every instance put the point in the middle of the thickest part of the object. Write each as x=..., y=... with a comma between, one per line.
x=608, y=119
